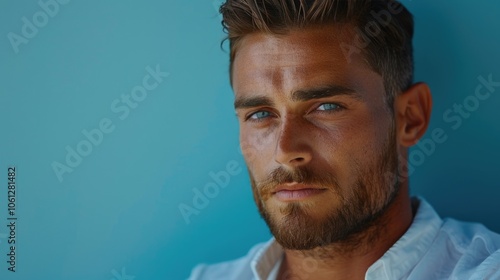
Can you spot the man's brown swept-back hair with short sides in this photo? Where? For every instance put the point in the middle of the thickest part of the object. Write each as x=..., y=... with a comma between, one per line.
x=385, y=28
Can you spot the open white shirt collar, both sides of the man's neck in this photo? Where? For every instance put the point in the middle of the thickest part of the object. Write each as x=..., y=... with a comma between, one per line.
x=396, y=263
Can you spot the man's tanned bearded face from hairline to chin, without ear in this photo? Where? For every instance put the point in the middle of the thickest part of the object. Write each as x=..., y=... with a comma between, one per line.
x=316, y=134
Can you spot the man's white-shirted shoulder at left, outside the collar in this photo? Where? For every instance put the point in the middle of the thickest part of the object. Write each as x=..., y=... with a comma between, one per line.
x=235, y=269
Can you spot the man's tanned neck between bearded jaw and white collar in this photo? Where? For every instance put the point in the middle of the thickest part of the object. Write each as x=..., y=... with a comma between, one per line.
x=344, y=260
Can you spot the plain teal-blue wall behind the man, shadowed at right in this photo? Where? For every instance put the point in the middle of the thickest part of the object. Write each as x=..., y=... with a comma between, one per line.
x=117, y=214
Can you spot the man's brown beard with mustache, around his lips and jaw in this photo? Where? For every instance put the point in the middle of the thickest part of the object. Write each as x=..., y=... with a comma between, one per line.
x=357, y=208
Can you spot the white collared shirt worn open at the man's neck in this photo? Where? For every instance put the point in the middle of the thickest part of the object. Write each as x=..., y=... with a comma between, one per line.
x=431, y=248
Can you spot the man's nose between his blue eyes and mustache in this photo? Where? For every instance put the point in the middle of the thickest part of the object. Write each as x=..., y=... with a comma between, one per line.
x=293, y=143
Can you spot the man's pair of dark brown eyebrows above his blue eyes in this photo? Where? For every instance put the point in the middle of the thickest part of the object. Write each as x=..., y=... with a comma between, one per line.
x=299, y=95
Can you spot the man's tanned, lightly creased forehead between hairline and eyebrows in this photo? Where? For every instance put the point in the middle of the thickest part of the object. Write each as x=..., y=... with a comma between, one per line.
x=301, y=58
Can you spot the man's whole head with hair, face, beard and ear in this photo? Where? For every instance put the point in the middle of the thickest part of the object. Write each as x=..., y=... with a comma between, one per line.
x=324, y=118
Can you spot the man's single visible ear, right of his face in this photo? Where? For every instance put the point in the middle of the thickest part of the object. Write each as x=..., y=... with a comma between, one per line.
x=412, y=109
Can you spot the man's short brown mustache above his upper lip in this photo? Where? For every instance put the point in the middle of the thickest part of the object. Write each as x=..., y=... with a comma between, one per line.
x=302, y=175
